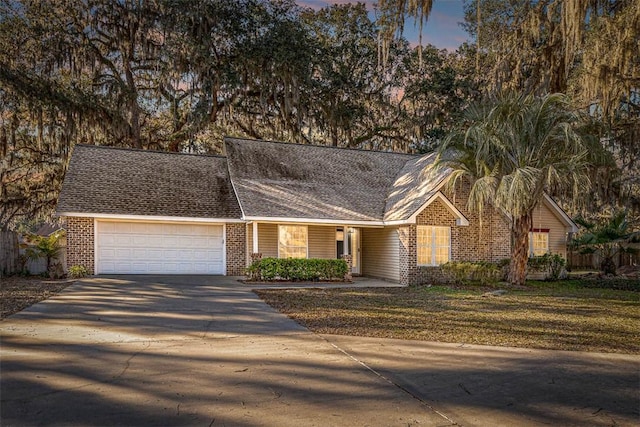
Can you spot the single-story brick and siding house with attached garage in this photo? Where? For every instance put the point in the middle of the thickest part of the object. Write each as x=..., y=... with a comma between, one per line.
x=143, y=212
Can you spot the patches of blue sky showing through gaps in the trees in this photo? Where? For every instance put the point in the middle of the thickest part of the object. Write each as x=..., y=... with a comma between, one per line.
x=441, y=30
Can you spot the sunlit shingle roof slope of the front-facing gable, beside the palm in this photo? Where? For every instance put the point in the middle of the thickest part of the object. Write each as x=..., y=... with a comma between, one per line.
x=414, y=185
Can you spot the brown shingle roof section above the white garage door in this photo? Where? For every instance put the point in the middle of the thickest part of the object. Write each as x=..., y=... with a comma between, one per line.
x=134, y=182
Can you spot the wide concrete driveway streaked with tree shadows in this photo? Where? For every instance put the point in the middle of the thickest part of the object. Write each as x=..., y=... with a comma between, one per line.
x=205, y=351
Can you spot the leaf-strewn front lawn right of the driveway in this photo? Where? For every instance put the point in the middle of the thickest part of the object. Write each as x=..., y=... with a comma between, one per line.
x=551, y=315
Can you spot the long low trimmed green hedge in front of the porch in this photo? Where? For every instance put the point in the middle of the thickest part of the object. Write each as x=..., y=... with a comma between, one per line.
x=297, y=269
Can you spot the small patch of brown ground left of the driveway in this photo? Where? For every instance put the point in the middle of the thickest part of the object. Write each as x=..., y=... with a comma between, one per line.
x=18, y=293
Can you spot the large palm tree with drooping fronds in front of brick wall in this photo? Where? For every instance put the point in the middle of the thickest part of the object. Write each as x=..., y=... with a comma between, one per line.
x=513, y=150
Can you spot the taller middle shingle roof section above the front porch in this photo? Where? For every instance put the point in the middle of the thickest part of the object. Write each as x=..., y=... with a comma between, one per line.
x=274, y=179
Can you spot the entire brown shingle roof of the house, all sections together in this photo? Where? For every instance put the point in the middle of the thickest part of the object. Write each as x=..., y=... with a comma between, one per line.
x=270, y=180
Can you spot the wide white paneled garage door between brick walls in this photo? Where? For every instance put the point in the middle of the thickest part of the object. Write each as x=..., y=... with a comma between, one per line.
x=159, y=248
